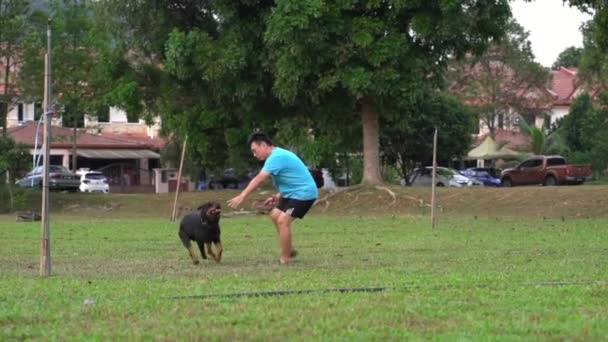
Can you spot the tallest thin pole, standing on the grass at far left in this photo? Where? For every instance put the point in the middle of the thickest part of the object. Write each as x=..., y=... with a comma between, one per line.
x=45, y=244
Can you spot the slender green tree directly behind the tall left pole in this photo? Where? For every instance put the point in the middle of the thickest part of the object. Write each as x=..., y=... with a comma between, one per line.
x=75, y=49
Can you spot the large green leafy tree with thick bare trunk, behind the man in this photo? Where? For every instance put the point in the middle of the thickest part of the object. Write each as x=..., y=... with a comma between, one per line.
x=374, y=53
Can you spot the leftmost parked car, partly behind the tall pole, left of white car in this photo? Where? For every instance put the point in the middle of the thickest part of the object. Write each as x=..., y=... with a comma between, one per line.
x=60, y=178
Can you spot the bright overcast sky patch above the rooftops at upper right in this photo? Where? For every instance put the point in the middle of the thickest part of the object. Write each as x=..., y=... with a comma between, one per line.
x=553, y=27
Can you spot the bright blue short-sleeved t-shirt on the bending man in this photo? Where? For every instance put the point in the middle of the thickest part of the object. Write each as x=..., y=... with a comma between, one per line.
x=290, y=175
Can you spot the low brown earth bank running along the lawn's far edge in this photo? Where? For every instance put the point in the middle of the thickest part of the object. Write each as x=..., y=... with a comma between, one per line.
x=535, y=201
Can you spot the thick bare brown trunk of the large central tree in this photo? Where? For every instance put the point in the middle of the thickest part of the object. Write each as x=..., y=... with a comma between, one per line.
x=371, y=142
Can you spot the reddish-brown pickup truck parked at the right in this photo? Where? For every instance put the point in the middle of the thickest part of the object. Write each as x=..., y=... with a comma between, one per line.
x=546, y=170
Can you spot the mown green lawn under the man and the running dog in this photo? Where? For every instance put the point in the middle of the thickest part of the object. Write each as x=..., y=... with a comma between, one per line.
x=471, y=278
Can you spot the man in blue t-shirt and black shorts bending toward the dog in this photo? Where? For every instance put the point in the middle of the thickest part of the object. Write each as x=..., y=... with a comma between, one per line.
x=297, y=190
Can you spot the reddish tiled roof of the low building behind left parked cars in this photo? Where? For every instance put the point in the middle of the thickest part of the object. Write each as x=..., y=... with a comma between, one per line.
x=61, y=137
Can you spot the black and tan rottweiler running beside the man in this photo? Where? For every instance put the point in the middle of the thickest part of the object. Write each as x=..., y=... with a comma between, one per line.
x=204, y=228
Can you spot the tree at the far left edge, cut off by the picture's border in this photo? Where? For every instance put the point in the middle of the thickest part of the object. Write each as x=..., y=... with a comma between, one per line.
x=13, y=31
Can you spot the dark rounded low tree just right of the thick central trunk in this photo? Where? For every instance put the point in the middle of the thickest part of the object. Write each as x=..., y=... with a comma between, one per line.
x=407, y=139
